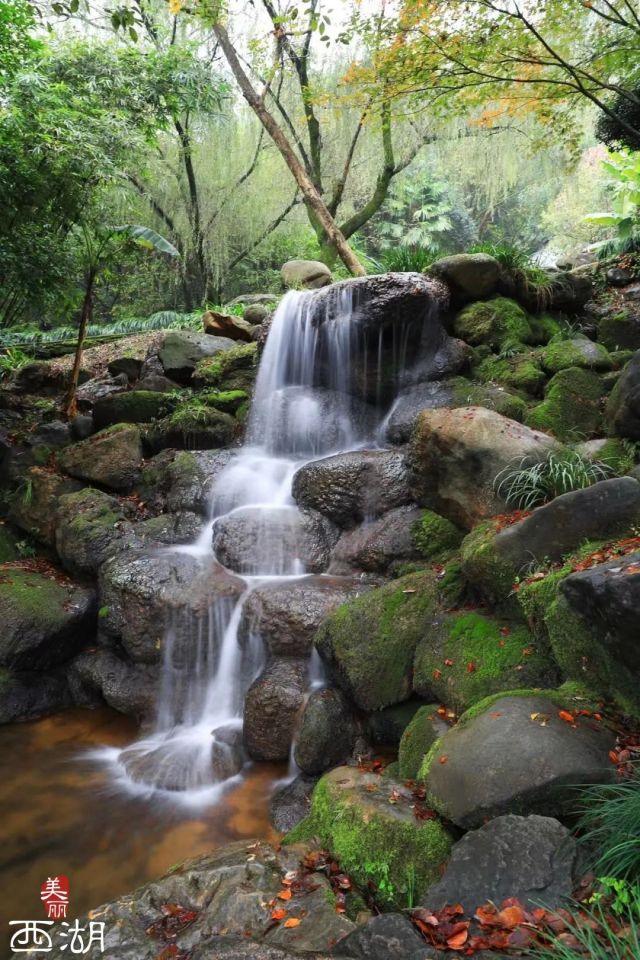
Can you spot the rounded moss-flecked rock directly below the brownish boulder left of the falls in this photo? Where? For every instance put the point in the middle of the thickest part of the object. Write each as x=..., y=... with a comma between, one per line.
x=91, y=528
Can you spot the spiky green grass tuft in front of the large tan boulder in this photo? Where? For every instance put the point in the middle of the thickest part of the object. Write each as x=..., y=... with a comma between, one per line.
x=525, y=485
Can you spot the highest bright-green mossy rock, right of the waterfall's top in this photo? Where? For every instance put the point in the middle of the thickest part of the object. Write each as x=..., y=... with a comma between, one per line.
x=499, y=323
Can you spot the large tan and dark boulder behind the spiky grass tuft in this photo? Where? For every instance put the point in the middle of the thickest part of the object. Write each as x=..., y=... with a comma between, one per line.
x=455, y=456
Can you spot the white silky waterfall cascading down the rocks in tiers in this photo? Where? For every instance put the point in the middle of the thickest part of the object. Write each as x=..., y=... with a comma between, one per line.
x=305, y=407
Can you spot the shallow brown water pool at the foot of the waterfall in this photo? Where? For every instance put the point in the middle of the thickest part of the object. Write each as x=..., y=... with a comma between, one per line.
x=59, y=815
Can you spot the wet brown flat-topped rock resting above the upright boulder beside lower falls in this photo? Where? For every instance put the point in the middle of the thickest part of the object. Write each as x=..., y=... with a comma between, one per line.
x=287, y=616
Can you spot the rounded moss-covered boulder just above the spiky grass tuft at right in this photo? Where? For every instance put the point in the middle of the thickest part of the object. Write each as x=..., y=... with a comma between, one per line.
x=572, y=408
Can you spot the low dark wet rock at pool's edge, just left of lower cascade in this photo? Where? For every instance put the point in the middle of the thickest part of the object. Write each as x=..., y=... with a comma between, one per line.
x=130, y=688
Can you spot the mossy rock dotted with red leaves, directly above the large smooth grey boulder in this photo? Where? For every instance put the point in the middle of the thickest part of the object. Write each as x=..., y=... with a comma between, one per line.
x=468, y=656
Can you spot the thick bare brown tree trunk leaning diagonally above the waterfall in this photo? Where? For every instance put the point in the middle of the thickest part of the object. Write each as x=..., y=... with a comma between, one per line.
x=309, y=191
